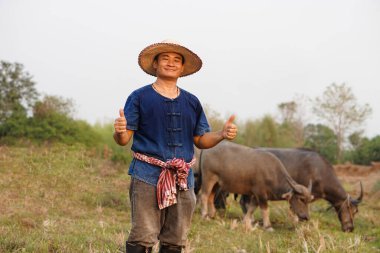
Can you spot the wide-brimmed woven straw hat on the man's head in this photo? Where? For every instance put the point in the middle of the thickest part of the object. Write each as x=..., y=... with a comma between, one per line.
x=192, y=61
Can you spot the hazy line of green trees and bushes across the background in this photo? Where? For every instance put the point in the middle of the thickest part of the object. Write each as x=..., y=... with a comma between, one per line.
x=26, y=116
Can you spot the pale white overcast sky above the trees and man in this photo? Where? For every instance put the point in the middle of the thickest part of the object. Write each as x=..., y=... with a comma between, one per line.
x=256, y=54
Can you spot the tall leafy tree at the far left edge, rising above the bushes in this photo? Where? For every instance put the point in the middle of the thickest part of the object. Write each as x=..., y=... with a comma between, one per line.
x=17, y=92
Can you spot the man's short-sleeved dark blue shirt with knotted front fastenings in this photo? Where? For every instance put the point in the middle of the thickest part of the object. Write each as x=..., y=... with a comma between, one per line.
x=163, y=128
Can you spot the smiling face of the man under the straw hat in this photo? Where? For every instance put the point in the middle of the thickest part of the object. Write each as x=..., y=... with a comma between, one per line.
x=169, y=65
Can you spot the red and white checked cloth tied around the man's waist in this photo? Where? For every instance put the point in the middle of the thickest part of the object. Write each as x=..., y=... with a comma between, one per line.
x=172, y=172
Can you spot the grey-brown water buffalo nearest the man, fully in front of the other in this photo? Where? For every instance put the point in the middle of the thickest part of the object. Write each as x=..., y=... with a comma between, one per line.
x=239, y=169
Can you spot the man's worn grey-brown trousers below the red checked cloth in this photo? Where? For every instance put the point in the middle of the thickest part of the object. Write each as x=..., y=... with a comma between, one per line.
x=150, y=224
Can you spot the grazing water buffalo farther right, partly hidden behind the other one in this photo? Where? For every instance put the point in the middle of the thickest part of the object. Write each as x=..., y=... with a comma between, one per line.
x=304, y=165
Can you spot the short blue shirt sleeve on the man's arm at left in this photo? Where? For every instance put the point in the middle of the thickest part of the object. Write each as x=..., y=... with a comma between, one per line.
x=132, y=111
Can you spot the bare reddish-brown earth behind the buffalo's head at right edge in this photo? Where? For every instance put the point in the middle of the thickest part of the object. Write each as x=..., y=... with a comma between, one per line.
x=352, y=174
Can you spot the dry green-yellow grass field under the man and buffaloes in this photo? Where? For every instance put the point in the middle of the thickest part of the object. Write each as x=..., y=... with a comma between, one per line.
x=68, y=199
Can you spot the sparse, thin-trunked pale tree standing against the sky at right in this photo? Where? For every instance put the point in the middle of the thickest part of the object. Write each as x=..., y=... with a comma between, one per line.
x=339, y=109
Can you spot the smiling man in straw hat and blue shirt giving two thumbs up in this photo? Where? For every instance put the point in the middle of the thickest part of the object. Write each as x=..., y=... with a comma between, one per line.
x=165, y=122
